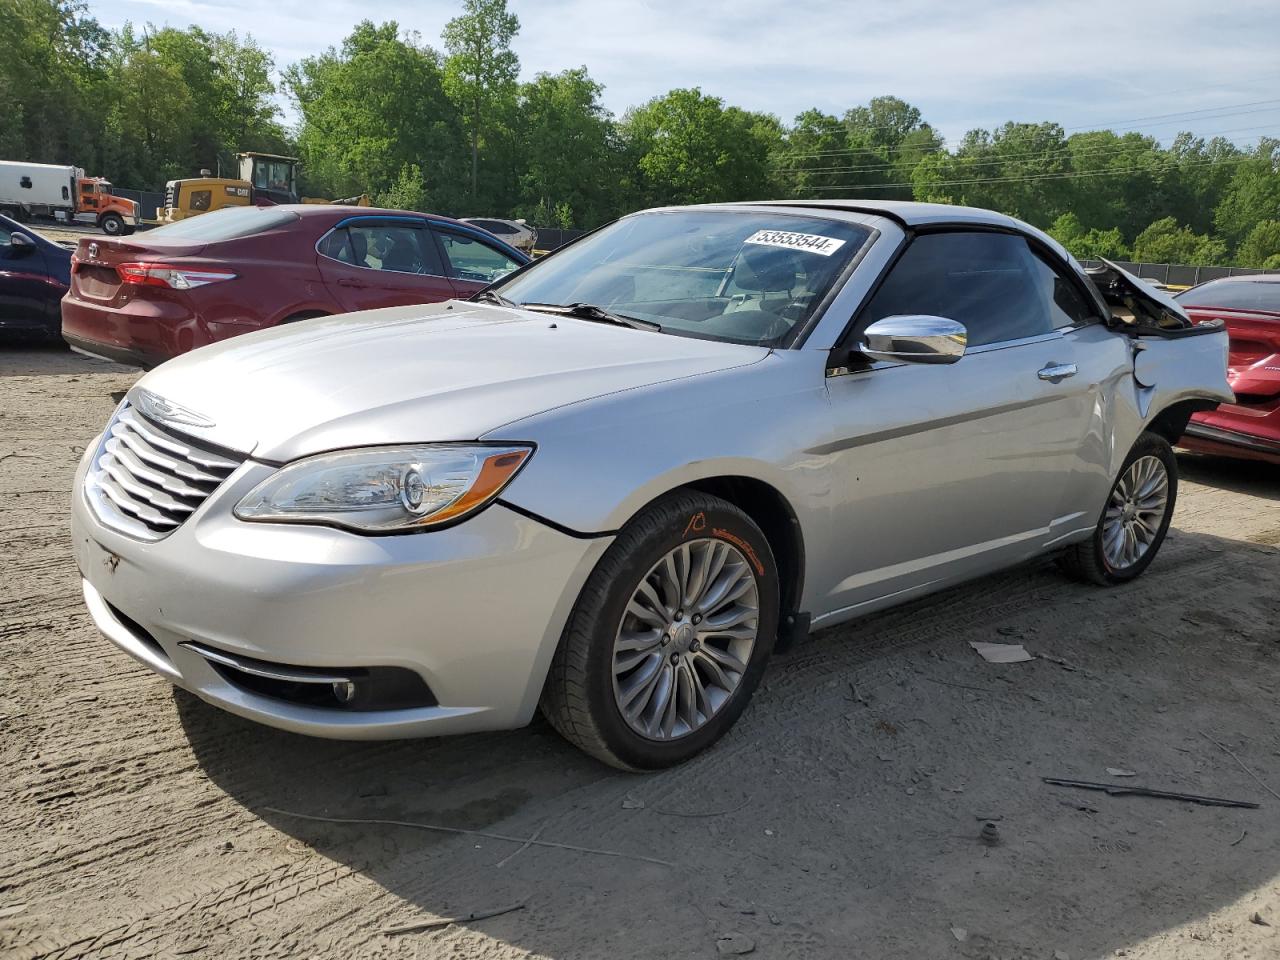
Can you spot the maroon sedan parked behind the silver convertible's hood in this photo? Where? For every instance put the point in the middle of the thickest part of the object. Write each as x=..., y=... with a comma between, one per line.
x=145, y=299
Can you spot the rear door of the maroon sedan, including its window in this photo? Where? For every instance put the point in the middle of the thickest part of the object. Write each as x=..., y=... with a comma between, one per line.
x=382, y=263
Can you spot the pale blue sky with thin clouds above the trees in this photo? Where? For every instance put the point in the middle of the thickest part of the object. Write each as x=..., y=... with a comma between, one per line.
x=966, y=65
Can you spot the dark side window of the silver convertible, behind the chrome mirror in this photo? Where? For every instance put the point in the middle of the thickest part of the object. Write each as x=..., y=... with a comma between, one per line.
x=990, y=282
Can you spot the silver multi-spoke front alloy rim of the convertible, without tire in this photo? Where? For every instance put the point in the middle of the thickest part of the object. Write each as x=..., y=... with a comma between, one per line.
x=685, y=639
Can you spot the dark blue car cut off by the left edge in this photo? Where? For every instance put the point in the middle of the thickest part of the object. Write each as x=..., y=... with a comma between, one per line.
x=35, y=273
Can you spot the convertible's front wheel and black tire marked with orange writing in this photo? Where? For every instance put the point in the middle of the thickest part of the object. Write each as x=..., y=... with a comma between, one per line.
x=583, y=696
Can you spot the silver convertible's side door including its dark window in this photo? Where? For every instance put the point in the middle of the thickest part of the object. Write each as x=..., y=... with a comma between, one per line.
x=947, y=472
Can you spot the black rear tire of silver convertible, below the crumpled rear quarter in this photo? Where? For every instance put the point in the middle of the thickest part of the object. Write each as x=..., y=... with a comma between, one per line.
x=1091, y=561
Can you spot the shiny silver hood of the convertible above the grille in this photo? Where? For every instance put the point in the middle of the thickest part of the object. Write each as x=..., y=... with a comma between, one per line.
x=444, y=372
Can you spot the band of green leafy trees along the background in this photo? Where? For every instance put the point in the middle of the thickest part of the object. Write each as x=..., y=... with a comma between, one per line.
x=455, y=131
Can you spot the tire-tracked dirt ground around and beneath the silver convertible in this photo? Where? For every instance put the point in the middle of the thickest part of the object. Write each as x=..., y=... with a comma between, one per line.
x=839, y=820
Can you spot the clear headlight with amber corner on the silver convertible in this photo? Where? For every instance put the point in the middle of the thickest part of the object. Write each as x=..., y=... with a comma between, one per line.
x=386, y=490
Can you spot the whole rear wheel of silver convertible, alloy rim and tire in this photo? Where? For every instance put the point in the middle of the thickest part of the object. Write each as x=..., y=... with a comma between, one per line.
x=1135, y=520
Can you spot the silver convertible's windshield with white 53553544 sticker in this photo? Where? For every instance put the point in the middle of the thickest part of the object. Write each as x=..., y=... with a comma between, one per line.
x=744, y=277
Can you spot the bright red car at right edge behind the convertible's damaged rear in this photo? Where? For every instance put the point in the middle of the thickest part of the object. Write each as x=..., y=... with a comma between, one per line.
x=1250, y=428
